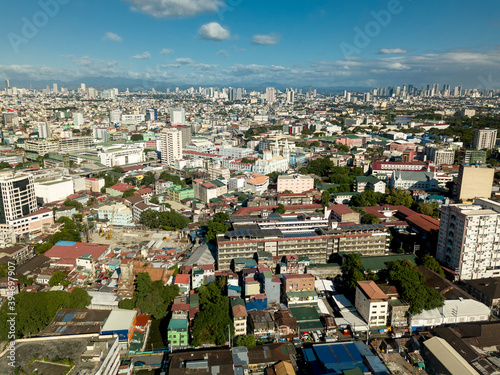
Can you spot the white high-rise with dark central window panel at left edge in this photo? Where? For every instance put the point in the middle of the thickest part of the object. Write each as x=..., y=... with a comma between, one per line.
x=17, y=196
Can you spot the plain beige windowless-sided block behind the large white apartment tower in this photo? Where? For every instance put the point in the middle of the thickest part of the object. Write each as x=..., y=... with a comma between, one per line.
x=474, y=181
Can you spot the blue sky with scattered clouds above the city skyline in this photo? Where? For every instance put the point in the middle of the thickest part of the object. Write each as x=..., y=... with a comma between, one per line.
x=326, y=44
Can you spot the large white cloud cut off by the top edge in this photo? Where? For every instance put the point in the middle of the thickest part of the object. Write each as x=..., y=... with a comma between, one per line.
x=175, y=8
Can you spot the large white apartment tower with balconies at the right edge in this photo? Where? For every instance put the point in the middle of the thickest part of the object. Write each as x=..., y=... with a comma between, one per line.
x=469, y=239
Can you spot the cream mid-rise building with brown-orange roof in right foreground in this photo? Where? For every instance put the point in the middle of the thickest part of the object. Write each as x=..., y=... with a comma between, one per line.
x=372, y=303
